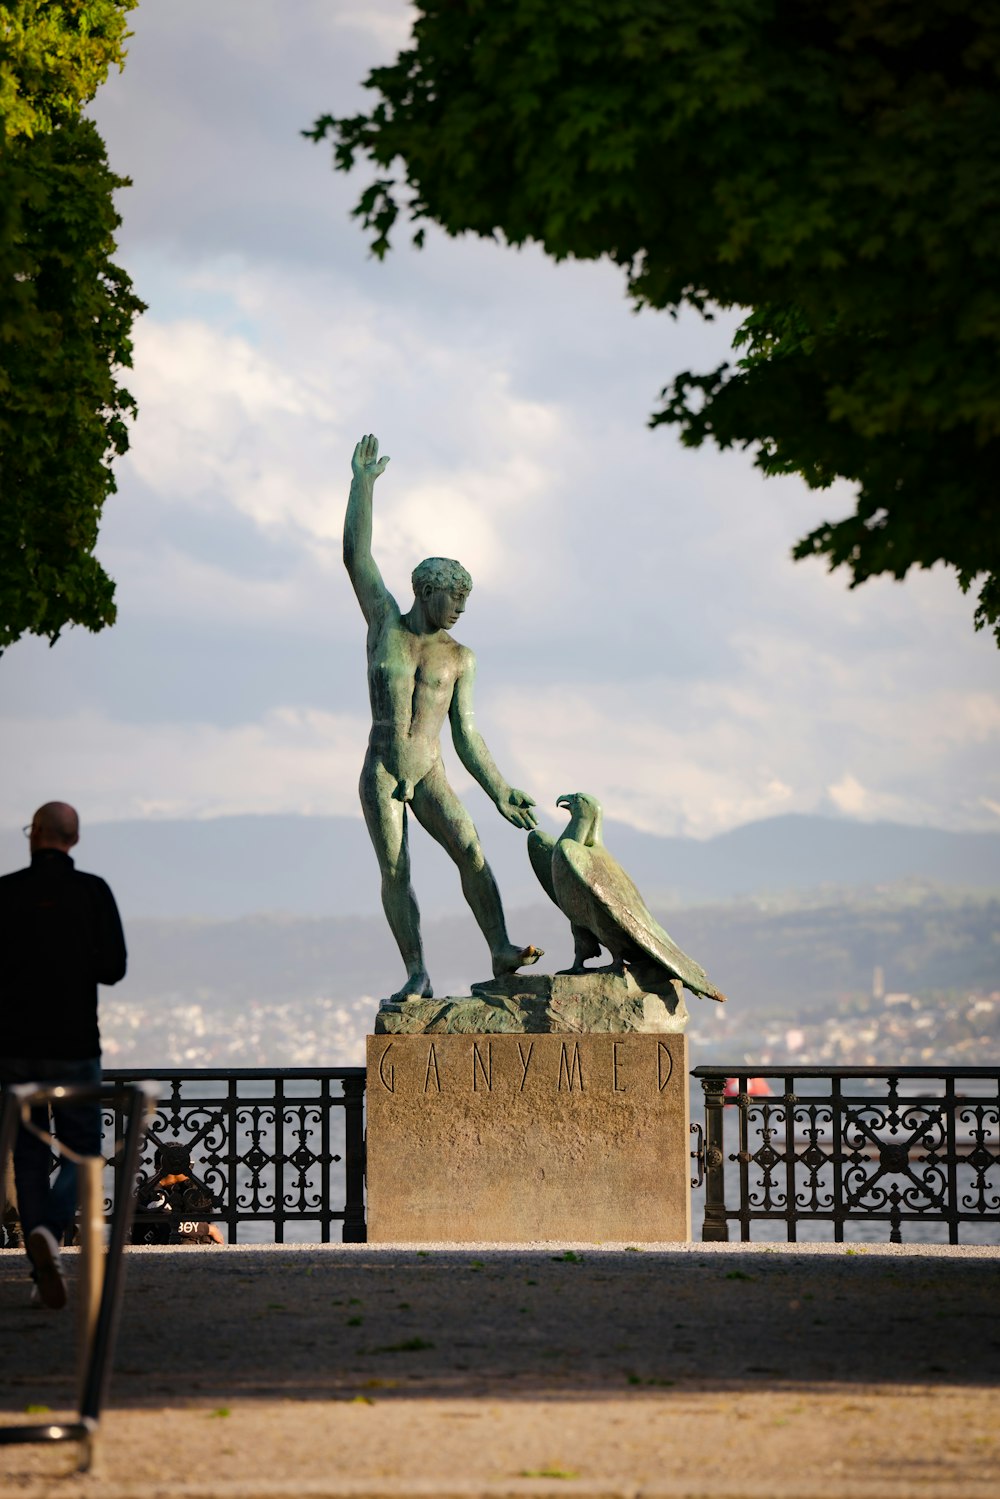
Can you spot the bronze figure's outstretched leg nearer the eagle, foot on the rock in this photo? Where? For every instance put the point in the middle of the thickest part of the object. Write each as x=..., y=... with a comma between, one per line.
x=446, y=819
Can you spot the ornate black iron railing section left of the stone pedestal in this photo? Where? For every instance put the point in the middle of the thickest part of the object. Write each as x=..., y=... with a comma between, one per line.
x=271, y=1146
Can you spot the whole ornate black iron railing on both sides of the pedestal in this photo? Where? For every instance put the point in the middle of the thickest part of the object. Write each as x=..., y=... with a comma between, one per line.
x=849, y=1146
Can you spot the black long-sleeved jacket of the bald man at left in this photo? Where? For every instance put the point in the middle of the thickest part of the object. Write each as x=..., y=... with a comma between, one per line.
x=61, y=936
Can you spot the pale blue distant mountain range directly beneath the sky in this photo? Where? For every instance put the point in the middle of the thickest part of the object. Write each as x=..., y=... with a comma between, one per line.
x=233, y=867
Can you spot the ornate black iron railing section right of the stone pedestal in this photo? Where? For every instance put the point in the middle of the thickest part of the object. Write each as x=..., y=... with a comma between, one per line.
x=852, y=1146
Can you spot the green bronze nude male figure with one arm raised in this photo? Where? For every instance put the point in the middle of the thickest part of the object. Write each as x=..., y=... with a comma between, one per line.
x=418, y=677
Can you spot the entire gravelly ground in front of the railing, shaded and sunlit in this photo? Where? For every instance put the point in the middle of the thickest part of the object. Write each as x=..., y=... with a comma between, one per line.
x=385, y=1374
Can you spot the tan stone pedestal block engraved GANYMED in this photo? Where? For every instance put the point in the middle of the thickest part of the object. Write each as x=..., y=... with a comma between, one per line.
x=533, y=1137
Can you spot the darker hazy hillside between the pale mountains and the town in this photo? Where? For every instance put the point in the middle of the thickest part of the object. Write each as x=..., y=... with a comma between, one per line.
x=786, y=960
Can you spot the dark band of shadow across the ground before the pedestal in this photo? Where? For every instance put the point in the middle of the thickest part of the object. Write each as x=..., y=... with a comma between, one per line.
x=317, y=1324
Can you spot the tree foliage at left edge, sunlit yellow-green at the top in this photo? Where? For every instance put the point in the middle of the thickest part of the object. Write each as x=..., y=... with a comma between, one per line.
x=67, y=316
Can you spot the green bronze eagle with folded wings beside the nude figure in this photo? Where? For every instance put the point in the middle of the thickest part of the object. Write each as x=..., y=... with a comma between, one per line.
x=603, y=906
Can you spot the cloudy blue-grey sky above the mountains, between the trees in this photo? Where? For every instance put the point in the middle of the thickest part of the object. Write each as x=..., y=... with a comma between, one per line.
x=641, y=630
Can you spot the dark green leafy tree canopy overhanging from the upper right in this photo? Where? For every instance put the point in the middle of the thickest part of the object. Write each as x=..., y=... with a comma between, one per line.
x=831, y=169
